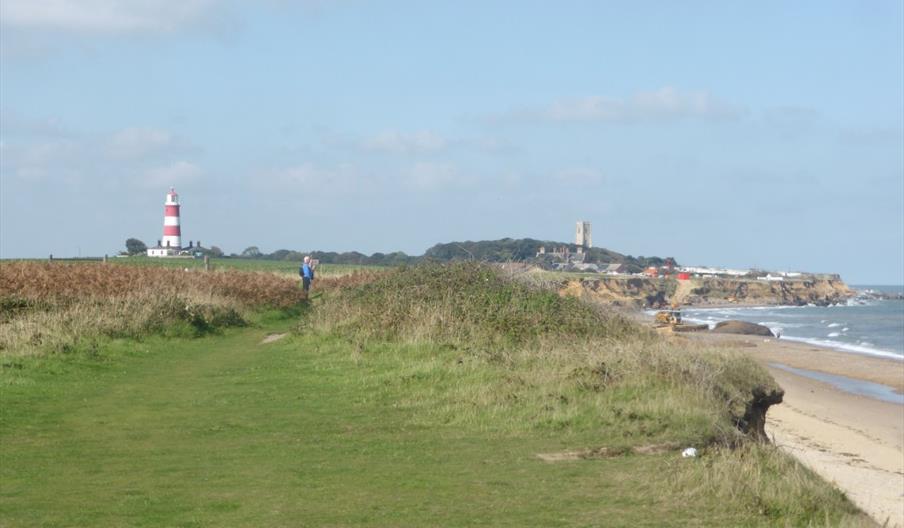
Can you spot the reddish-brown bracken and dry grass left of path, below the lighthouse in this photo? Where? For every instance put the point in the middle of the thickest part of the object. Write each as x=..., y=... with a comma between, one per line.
x=49, y=308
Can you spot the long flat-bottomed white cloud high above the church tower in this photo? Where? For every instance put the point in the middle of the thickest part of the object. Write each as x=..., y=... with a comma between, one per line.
x=665, y=104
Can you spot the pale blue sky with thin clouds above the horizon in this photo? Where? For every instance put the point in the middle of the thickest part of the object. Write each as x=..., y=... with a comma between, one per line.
x=739, y=134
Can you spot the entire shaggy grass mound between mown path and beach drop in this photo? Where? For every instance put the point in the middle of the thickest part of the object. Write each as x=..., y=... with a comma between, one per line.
x=557, y=363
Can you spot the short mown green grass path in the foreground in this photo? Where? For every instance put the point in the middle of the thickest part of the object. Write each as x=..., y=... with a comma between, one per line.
x=226, y=431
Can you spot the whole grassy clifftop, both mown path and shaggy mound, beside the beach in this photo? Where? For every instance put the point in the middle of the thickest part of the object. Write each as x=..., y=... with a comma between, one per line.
x=333, y=425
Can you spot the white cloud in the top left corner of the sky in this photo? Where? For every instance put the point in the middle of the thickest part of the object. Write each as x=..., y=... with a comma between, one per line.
x=104, y=16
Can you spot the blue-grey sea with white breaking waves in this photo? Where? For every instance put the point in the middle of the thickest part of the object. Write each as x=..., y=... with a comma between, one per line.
x=863, y=325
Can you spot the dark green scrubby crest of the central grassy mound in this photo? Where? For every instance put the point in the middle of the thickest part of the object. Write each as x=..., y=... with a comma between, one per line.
x=464, y=303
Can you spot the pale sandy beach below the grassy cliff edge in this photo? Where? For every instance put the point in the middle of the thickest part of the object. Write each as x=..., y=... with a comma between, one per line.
x=853, y=441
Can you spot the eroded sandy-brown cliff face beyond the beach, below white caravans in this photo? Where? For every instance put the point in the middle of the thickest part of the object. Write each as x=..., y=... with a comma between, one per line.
x=647, y=292
